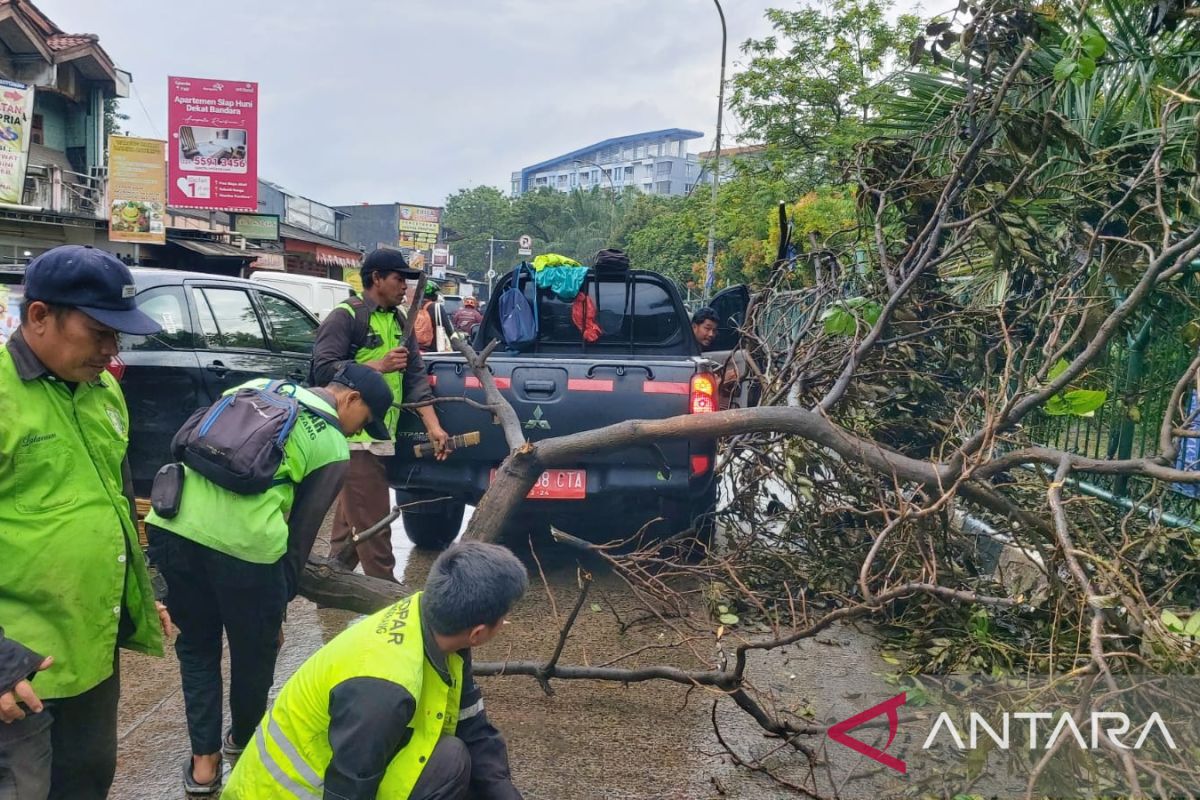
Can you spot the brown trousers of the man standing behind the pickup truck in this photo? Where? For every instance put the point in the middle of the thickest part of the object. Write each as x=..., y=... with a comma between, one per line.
x=363, y=503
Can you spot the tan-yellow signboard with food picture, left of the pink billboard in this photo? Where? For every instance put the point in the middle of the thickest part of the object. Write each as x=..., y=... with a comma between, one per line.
x=137, y=190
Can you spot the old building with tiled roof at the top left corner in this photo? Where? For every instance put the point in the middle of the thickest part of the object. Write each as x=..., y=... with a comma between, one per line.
x=74, y=79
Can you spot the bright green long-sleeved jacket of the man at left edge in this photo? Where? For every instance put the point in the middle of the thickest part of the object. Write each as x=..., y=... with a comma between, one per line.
x=70, y=562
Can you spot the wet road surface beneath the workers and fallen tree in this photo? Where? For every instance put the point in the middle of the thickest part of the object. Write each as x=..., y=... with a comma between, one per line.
x=590, y=739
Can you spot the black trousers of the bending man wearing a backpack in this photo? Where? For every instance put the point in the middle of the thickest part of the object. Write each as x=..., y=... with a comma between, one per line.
x=209, y=592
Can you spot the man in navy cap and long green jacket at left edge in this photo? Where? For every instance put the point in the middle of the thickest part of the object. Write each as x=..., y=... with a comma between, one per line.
x=74, y=586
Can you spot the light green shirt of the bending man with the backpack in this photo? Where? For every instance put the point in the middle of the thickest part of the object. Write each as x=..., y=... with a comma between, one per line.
x=254, y=527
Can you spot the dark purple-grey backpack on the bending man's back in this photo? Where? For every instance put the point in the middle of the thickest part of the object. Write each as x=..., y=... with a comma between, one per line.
x=238, y=442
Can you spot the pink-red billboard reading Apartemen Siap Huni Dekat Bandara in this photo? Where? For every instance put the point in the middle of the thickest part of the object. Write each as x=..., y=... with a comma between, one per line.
x=214, y=145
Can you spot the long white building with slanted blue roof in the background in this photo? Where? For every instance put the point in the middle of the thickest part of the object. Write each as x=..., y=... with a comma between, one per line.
x=656, y=163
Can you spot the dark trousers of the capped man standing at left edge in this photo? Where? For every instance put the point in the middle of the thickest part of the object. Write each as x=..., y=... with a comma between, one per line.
x=67, y=753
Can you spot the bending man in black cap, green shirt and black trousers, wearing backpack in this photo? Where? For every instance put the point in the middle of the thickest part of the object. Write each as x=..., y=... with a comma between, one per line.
x=232, y=561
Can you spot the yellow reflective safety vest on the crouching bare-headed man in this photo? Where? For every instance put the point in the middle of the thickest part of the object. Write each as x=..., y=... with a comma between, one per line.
x=291, y=753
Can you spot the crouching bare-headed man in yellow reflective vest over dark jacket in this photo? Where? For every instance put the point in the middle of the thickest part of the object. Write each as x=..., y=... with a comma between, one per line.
x=389, y=708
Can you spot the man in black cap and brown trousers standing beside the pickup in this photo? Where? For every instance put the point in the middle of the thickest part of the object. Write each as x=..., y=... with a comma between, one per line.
x=370, y=332
